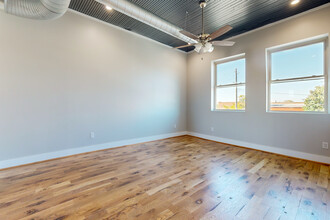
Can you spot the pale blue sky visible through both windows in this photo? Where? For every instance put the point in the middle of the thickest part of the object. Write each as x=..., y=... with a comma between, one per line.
x=298, y=62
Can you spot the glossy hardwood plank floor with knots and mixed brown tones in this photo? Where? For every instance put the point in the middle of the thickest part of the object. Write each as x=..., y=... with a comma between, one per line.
x=177, y=178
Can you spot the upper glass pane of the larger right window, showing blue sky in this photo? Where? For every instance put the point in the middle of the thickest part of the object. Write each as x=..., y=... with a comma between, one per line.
x=298, y=62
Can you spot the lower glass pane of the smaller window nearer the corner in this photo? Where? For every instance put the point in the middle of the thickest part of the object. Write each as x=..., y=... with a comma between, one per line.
x=226, y=98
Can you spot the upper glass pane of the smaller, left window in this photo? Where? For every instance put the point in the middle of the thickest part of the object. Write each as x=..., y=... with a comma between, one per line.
x=226, y=72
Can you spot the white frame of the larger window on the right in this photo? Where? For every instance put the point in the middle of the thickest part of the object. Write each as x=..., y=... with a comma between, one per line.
x=318, y=39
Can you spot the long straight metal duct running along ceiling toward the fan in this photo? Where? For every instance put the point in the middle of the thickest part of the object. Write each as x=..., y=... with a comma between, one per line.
x=146, y=17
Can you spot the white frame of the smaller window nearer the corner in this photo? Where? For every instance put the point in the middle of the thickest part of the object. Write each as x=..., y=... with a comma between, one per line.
x=214, y=85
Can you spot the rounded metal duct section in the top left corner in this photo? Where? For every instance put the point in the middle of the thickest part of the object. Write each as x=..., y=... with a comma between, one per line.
x=37, y=9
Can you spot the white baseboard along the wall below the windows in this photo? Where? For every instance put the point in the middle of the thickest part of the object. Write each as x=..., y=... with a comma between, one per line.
x=286, y=152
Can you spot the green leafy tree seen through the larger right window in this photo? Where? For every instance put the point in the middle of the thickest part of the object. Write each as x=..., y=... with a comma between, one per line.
x=315, y=100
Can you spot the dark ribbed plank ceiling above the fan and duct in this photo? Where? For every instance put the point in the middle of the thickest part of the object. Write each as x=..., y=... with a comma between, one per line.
x=243, y=15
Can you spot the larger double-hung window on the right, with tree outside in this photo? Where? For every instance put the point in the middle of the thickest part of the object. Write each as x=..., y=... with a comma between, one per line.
x=297, y=78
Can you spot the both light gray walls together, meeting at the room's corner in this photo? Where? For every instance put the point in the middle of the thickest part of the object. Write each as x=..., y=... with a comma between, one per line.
x=62, y=79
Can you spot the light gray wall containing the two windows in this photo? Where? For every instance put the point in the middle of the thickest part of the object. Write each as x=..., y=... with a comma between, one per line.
x=301, y=132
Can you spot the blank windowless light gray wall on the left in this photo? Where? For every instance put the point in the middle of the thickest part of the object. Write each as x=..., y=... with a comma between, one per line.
x=62, y=79
